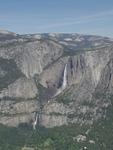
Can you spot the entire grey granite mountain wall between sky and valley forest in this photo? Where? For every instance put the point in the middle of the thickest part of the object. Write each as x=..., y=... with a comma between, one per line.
x=56, y=78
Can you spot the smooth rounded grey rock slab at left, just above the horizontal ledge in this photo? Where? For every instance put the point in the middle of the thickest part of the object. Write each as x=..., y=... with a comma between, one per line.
x=21, y=88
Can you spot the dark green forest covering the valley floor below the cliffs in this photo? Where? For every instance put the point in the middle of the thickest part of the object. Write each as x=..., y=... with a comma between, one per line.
x=60, y=138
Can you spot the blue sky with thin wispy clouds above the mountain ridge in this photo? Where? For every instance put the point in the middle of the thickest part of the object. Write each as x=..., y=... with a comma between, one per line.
x=57, y=16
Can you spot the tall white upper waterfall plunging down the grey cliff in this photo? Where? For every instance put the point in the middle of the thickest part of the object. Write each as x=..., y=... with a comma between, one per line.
x=64, y=82
